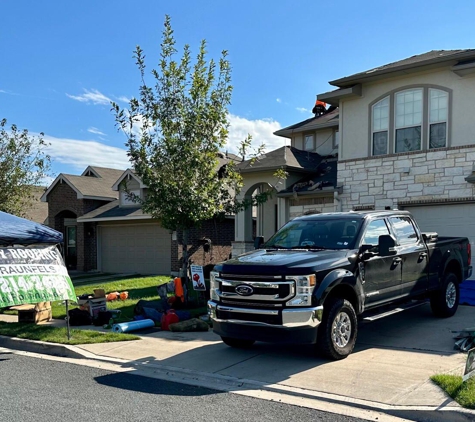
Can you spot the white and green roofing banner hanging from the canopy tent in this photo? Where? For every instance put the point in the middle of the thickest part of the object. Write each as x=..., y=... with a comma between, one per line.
x=33, y=274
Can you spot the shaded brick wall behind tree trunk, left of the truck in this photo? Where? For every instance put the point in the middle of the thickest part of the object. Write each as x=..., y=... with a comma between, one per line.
x=221, y=234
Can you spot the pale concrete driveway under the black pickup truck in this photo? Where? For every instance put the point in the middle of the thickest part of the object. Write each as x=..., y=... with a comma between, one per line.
x=388, y=371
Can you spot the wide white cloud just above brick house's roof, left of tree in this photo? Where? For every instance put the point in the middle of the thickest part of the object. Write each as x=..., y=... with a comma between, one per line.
x=80, y=154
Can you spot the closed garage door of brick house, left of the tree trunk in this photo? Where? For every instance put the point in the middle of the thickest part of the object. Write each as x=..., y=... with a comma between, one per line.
x=141, y=248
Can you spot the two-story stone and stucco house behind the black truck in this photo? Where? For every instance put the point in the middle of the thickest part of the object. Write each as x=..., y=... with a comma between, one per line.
x=404, y=134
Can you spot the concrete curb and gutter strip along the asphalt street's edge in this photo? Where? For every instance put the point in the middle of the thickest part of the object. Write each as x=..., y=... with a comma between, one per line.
x=240, y=386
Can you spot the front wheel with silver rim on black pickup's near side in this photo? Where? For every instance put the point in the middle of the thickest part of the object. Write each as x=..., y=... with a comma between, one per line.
x=337, y=332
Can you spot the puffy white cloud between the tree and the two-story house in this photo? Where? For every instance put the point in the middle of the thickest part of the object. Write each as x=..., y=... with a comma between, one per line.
x=261, y=131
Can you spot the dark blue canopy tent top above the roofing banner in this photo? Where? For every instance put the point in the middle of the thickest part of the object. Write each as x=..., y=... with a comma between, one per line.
x=20, y=231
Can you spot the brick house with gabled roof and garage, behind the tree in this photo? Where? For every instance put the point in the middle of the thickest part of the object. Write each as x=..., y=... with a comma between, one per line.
x=106, y=230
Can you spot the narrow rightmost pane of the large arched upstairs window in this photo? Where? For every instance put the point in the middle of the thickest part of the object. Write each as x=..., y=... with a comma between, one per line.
x=438, y=113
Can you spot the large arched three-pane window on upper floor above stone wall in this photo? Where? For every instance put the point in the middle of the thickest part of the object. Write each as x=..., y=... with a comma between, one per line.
x=413, y=119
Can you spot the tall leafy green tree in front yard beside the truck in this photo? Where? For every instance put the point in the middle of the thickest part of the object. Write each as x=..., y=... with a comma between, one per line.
x=175, y=130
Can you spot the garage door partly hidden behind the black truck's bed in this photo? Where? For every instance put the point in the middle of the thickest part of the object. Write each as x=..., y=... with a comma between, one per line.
x=447, y=220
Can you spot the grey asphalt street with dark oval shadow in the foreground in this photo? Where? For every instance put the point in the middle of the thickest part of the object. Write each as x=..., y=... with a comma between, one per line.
x=34, y=389
